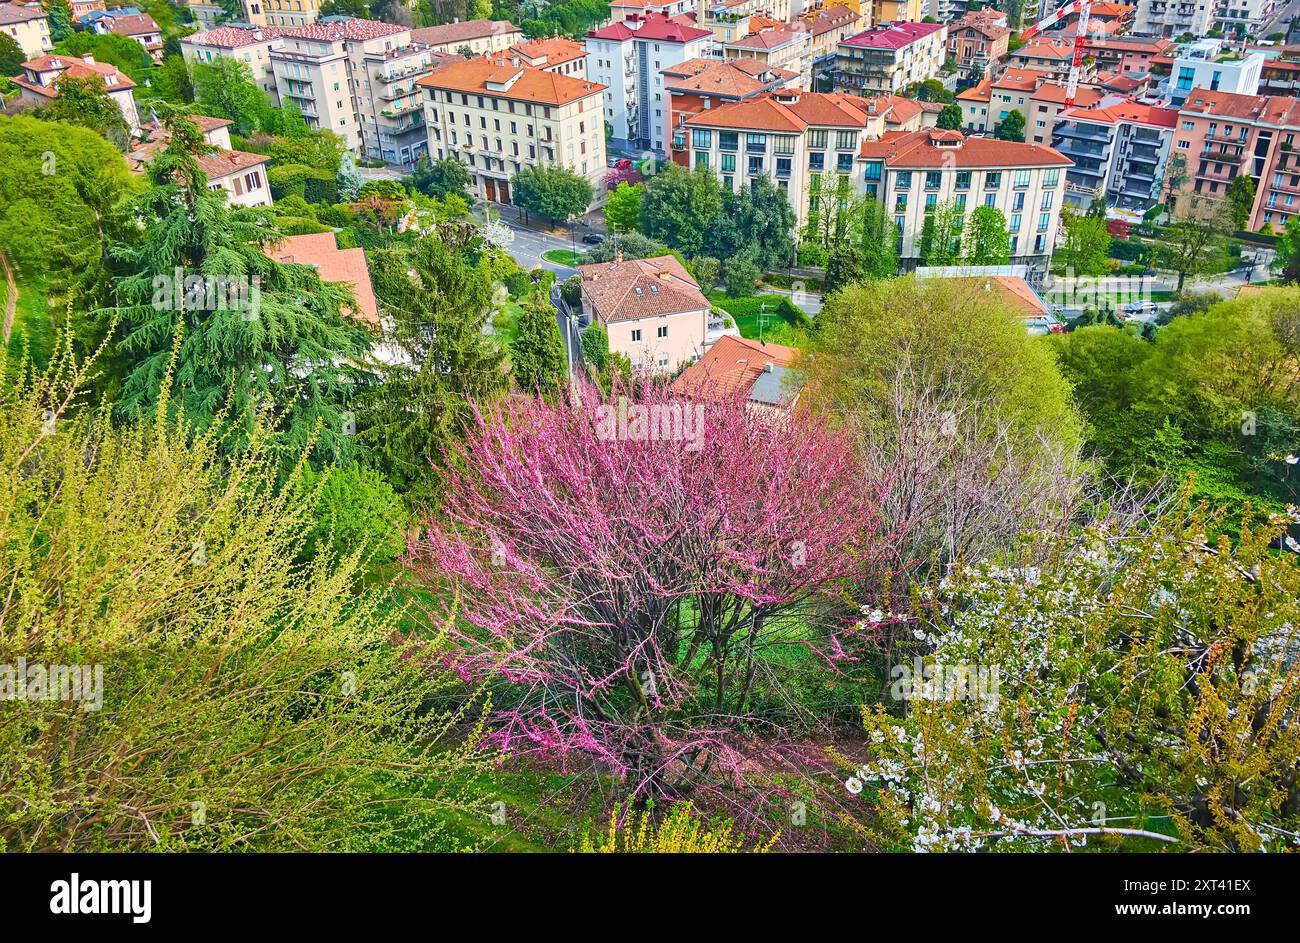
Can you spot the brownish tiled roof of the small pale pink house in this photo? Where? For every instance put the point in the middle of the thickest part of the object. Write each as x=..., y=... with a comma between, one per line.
x=643, y=288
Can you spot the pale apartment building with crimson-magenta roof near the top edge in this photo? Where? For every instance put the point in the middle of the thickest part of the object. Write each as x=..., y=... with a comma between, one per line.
x=887, y=59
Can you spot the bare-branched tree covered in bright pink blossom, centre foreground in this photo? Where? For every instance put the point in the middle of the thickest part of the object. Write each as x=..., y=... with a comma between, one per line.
x=626, y=566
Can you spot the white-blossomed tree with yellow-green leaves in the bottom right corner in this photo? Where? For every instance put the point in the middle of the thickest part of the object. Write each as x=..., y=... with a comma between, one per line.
x=1139, y=691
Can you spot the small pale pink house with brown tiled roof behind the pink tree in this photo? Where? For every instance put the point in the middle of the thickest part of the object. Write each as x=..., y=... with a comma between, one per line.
x=652, y=310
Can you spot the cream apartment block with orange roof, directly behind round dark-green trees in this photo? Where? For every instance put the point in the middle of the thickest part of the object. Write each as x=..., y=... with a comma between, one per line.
x=804, y=141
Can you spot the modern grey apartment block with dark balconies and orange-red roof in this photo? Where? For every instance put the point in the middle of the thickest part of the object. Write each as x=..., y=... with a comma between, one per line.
x=1120, y=150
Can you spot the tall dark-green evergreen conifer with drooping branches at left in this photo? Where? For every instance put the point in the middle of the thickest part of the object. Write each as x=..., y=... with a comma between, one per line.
x=233, y=332
